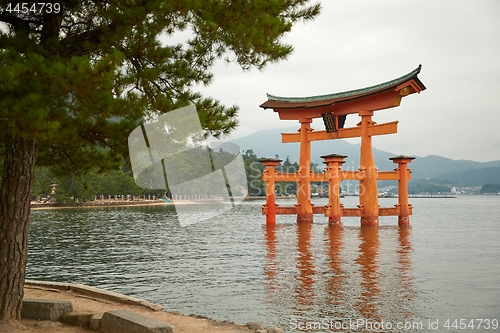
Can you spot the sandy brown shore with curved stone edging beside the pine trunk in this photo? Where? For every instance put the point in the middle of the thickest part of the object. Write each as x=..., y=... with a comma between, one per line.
x=94, y=302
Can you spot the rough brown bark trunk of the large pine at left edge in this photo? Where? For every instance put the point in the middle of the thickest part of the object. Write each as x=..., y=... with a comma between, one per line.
x=15, y=196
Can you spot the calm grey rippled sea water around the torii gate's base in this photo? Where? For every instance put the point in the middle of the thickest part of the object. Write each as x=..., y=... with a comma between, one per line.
x=312, y=278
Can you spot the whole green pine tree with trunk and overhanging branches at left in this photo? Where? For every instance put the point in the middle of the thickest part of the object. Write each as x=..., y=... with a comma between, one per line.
x=77, y=76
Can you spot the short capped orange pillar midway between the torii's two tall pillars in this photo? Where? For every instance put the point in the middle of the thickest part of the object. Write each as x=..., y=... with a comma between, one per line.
x=334, y=208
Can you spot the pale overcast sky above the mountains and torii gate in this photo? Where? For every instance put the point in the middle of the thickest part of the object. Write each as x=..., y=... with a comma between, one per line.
x=359, y=43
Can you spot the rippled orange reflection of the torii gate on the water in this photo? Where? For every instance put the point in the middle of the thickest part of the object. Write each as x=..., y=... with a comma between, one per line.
x=376, y=285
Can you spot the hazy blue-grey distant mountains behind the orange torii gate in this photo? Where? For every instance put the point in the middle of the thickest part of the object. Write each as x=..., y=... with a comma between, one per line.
x=267, y=143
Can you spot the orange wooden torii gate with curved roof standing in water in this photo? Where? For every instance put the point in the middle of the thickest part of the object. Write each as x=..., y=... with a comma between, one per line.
x=334, y=109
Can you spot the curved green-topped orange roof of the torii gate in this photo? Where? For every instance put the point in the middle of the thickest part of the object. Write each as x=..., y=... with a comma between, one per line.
x=380, y=96
